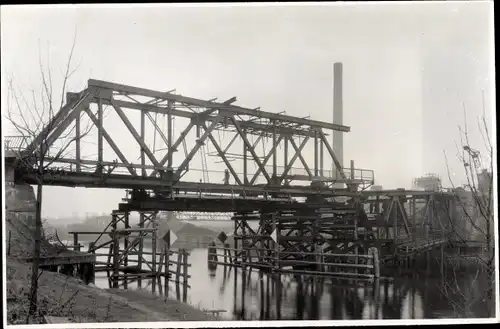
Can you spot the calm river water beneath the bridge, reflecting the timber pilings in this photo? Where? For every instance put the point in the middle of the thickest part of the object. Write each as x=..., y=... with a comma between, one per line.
x=251, y=295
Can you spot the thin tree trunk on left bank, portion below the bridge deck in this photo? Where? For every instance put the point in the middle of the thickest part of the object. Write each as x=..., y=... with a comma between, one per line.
x=36, y=254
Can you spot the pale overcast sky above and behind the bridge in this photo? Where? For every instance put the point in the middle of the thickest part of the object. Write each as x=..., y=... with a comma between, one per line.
x=407, y=70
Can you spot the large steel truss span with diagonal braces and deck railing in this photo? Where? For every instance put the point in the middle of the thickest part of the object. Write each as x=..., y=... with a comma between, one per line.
x=187, y=121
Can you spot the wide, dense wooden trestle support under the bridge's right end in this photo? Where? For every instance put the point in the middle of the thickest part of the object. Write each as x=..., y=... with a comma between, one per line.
x=346, y=239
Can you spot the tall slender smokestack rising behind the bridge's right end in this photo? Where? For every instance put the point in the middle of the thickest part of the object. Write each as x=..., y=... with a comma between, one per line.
x=338, y=142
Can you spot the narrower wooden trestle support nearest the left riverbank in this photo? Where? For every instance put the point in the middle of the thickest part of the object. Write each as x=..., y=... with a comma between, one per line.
x=126, y=242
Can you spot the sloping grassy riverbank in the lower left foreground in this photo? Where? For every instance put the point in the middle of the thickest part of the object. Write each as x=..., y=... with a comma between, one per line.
x=63, y=296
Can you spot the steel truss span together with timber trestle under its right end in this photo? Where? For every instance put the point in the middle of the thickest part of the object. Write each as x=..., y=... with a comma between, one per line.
x=179, y=153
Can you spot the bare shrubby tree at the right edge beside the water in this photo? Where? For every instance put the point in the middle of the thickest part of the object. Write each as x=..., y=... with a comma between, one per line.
x=473, y=217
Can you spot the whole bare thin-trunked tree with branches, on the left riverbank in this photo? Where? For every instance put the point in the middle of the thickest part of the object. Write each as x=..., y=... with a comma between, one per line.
x=34, y=115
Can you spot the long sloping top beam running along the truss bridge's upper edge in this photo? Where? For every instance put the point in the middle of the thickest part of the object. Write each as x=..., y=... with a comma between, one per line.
x=232, y=109
